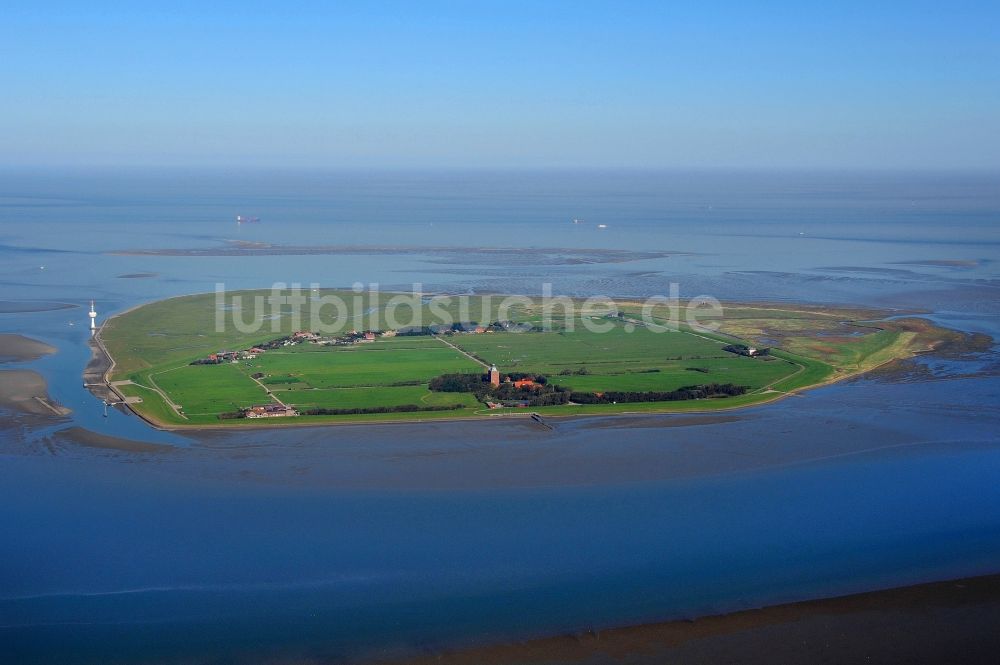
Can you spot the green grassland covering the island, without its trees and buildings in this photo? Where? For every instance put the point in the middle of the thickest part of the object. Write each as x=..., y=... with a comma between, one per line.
x=153, y=346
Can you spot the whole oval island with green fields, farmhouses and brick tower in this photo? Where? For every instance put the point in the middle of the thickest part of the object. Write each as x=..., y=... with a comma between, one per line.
x=181, y=362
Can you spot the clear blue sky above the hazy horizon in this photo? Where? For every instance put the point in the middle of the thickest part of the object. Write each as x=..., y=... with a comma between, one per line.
x=505, y=84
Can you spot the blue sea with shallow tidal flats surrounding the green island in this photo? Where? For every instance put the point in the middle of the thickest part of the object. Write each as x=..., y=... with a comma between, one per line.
x=379, y=541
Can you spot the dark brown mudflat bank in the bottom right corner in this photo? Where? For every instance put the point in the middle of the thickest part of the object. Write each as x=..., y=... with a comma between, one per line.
x=944, y=621
